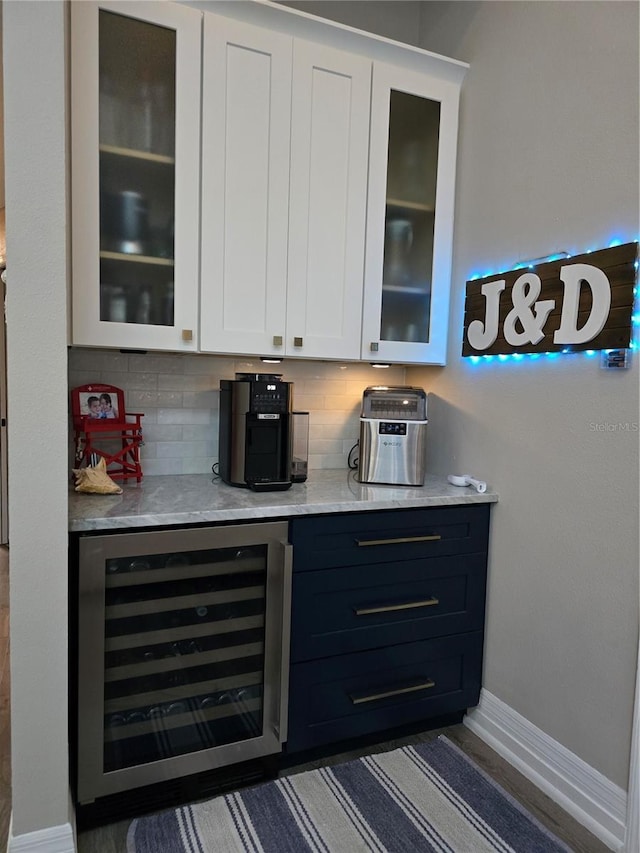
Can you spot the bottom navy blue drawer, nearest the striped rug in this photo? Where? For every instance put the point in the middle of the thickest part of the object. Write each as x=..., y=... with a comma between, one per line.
x=344, y=697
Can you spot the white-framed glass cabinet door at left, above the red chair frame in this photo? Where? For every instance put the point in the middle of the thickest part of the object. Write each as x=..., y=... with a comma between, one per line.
x=135, y=173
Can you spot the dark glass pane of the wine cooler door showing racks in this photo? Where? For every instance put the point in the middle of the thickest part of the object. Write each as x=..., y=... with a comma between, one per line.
x=184, y=652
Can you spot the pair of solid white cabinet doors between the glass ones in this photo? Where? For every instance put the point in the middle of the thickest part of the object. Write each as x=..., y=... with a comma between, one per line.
x=285, y=126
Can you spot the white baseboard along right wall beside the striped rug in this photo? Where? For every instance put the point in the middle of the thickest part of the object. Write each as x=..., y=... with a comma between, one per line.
x=587, y=795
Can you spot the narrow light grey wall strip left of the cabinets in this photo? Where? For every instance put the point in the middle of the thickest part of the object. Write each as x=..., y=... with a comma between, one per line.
x=35, y=152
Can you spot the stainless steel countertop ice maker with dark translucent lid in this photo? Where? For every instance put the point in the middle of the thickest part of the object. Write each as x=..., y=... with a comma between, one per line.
x=393, y=435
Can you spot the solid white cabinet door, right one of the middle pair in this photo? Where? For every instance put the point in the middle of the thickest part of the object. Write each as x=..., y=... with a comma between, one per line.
x=327, y=213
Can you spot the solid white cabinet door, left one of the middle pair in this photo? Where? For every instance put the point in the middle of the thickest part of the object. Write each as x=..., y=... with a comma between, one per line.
x=245, y=187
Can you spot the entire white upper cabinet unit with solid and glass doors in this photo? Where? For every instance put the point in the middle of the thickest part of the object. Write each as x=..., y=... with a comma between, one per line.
x=251, y=180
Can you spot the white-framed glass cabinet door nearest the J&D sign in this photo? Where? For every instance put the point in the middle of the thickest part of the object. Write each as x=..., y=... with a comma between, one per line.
x=410, y=216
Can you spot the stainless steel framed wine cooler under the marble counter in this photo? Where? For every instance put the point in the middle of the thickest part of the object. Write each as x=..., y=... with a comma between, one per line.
x=183, y=653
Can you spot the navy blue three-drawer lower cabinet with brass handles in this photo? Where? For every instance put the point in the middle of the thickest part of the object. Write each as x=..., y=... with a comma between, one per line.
x=387, y=620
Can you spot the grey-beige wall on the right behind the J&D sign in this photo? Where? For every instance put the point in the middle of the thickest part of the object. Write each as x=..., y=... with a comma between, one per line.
x=548, y=160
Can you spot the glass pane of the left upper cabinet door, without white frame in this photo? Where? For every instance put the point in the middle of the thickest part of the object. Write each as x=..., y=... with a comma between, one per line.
x=137, y=69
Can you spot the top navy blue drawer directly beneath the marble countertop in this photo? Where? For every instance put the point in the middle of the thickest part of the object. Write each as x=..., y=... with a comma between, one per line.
x=370, y=537
